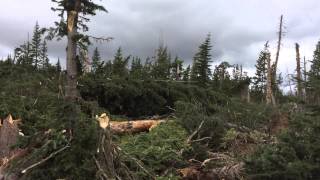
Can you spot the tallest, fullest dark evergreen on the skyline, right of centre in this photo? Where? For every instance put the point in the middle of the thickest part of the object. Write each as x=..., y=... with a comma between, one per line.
x=201, y=71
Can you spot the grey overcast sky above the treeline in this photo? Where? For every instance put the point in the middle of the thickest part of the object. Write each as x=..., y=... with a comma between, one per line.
x=239, y=28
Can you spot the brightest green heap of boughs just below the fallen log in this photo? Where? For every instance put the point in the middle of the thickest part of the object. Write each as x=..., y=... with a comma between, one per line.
x=158, y=150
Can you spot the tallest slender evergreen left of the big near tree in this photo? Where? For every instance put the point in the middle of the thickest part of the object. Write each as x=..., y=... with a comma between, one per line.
x=36, y=45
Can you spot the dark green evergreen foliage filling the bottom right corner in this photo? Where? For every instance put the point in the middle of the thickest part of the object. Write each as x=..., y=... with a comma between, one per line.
x=295, y=156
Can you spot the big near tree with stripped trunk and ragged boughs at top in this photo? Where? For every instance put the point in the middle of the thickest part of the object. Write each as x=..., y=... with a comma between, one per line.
x=77, y=12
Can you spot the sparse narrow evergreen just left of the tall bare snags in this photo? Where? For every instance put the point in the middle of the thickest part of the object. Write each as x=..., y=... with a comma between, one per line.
x=260, y=78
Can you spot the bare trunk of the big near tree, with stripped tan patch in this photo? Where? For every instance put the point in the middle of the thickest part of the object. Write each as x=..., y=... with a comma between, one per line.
x=72, y=20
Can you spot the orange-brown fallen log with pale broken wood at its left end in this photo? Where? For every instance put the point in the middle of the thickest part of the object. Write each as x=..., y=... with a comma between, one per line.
x=123, y=127
